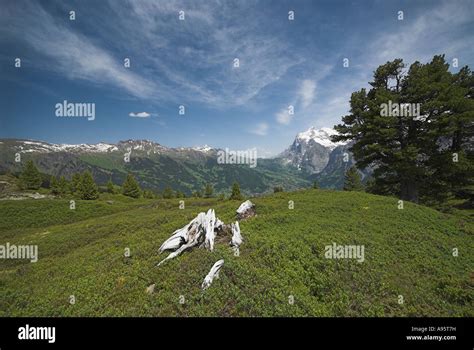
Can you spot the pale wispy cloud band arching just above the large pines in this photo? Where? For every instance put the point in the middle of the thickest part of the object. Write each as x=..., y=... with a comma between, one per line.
x=433, y=31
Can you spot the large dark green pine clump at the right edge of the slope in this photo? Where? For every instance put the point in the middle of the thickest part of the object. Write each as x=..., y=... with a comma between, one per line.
x=412, y=153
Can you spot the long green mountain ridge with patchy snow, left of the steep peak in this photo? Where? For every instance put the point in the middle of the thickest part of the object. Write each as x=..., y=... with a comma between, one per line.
x=155, y=167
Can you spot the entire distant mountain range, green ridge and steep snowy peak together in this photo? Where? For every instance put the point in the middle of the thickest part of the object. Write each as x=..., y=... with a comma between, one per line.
x=312, y=156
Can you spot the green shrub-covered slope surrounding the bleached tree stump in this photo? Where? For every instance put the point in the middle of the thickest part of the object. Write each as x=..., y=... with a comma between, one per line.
x=407, y=252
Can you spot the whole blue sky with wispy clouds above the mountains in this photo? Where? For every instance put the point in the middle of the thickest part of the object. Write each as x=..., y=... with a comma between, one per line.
x=190, y=63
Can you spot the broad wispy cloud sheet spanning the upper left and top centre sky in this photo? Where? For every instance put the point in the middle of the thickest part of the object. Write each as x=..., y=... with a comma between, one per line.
x=180, y=61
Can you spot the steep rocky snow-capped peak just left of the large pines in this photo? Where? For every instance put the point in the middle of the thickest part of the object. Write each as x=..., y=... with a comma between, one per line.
x=311, y=150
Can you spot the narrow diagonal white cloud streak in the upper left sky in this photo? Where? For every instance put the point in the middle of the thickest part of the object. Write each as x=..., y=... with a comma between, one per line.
x=75, y=55
